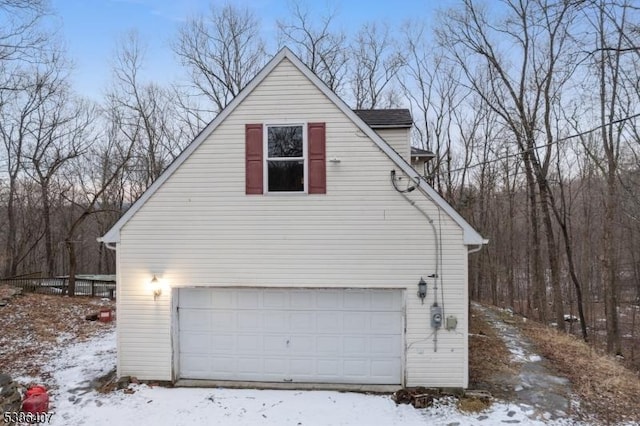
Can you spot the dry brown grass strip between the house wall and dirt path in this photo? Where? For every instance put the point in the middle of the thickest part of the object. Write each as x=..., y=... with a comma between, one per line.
x=488, y=356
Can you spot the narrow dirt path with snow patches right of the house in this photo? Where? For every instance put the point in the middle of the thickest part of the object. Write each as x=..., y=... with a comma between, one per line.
x=537, y=388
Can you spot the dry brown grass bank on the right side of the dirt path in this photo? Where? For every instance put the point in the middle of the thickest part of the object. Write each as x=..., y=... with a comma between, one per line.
x=608, y=389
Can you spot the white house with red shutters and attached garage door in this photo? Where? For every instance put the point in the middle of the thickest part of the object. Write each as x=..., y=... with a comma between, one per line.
x=286, y=245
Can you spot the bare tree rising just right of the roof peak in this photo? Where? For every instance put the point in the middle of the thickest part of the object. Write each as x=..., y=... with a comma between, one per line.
x=321, y=47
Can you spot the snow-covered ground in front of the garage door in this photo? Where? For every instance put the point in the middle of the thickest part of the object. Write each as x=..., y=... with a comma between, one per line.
x=74, y=402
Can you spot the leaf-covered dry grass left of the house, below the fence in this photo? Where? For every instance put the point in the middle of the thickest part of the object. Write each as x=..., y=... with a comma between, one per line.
x=32, y=325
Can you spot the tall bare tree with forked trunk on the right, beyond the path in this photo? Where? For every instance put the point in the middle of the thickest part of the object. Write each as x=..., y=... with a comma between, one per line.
x=524, y=94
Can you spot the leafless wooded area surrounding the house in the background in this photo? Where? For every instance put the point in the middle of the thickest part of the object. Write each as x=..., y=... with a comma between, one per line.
x=530, y=107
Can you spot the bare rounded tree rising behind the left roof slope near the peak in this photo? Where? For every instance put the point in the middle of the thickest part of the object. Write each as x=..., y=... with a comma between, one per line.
x=223, y=51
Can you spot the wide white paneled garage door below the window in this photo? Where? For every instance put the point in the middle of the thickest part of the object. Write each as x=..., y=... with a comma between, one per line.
x=283, y=335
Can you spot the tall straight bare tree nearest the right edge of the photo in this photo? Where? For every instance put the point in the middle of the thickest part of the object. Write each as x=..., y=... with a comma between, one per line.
x=612, y=73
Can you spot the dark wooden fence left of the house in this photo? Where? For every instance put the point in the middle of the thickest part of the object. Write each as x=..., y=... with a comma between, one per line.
x=60, y=286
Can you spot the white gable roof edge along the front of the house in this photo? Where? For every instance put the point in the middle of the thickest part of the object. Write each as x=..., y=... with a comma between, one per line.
x=470, y=235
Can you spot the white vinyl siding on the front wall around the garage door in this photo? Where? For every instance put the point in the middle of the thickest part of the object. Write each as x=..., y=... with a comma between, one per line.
x=200, y=229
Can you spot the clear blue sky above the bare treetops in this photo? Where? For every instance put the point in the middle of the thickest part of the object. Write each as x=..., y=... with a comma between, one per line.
x=91, y=28
